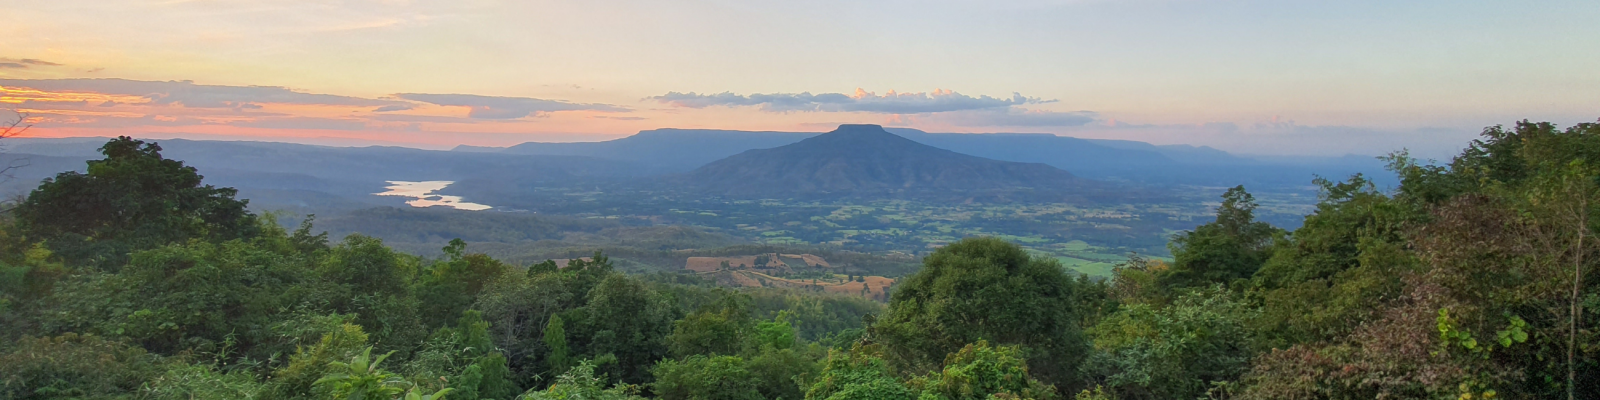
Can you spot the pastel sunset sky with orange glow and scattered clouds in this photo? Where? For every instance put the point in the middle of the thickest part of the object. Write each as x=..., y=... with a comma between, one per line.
x=1278, y=78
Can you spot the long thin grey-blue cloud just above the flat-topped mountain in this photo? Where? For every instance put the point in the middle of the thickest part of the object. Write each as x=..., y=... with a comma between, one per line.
x=862, y=102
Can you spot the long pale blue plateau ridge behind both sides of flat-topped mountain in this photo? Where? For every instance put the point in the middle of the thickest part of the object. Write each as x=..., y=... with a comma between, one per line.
x=681, y=151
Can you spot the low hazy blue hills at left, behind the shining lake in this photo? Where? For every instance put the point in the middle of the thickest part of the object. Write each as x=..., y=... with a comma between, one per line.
x=281, y=175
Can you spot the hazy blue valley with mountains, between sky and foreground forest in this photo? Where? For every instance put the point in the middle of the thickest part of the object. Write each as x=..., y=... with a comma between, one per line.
x=894, y=196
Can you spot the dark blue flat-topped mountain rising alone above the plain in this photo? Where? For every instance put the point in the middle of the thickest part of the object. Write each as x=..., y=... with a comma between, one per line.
x=868, y=161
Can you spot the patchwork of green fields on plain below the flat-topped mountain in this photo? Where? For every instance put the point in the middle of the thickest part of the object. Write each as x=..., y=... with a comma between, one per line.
x=1089, y=239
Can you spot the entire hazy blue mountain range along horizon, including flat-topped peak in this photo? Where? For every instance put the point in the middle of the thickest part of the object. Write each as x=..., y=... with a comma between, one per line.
x=298, y=177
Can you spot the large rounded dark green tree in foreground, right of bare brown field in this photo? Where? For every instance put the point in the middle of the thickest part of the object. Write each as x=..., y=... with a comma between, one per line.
x=986, y=289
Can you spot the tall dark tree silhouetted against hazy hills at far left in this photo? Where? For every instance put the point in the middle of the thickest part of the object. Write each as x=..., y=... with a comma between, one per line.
x=130, y=201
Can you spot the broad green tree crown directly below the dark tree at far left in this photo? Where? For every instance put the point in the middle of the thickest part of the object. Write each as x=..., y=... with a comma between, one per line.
x=198, y=297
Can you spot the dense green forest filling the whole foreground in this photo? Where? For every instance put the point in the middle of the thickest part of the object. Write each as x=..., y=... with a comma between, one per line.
x=1473, y=279
